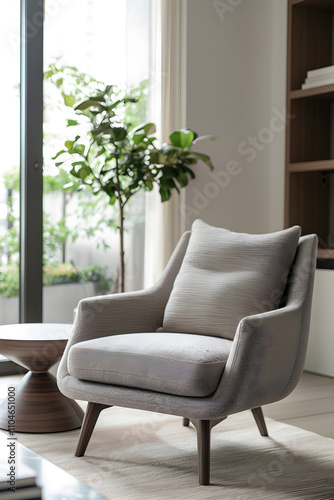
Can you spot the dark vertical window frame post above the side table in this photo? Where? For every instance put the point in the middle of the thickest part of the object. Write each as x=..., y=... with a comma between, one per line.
x=31, y=168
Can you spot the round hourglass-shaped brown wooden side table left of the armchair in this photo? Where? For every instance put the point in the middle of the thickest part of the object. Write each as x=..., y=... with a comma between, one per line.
x=39, y=405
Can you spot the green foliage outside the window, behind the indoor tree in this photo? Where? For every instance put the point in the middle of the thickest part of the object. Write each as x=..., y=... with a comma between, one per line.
x=56, y=233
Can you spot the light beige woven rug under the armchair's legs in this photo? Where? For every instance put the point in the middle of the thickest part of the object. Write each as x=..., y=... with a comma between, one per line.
x=136, y=455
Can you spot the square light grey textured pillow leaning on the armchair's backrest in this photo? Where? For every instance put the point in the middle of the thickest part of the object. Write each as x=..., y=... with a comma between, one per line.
x=226, y=276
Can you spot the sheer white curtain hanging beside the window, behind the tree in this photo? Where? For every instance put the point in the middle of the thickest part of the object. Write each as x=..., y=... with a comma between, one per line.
x=163, y=223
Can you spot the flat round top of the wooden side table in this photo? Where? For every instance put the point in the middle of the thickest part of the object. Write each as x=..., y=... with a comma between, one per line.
x=36, y=331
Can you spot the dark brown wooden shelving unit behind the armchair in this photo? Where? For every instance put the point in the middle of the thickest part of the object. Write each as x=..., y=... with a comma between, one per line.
x=309, y=179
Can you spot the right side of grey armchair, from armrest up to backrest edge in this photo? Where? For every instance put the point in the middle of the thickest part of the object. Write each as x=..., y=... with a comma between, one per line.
x=269, y=349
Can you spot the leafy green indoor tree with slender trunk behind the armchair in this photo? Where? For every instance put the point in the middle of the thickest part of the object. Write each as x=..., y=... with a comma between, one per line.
x=118, y=160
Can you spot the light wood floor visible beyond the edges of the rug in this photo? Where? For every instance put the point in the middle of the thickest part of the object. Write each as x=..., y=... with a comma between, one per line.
x=310, y=406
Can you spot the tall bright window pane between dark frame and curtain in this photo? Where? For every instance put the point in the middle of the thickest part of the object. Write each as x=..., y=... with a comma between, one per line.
x=98, y=46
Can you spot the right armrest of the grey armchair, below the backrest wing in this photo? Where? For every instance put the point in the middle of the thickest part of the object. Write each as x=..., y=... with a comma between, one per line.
x=255, y=374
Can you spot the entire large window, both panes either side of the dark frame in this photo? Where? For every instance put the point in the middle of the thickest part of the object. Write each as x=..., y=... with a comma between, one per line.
x=107, y=41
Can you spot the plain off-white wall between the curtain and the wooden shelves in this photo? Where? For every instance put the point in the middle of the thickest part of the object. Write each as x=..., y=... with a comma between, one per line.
x=236, y=78
